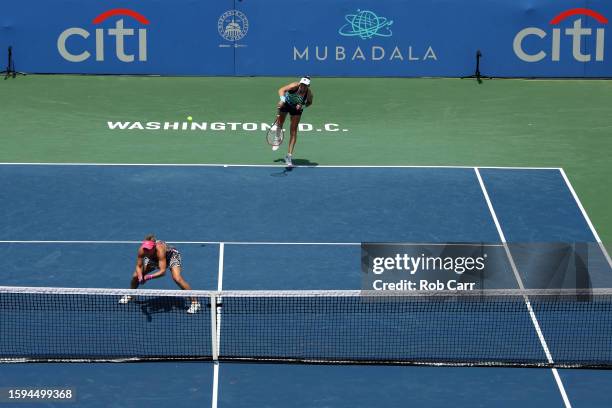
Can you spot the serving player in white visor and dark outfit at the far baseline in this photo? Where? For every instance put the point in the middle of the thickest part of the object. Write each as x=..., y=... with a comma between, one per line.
x=294, y=97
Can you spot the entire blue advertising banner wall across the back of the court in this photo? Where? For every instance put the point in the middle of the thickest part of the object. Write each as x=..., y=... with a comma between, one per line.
x=540, y=38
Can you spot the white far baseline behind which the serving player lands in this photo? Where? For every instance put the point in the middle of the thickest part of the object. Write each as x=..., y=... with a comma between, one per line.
x=274, y=166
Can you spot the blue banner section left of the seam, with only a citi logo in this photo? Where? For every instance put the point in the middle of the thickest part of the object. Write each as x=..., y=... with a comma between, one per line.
x=177, y=37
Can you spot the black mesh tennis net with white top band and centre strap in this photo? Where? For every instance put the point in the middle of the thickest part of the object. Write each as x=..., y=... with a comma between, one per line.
x=545, y=328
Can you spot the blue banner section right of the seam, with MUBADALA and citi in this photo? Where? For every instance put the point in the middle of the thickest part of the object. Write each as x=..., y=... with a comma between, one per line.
x=427, y=38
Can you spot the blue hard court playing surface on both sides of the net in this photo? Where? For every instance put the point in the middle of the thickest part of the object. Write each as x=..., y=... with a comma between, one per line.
x=271, y=228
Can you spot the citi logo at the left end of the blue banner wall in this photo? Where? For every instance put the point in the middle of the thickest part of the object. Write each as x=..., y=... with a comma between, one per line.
x=75, y=50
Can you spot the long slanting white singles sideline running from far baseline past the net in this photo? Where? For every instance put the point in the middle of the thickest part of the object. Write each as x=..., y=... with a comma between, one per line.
x=534, y=320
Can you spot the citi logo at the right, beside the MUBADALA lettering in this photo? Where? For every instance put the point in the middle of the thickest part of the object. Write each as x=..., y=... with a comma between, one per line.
x=577, y=35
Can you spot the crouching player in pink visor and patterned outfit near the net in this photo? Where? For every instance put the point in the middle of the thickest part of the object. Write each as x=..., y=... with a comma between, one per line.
x=154, y=257
